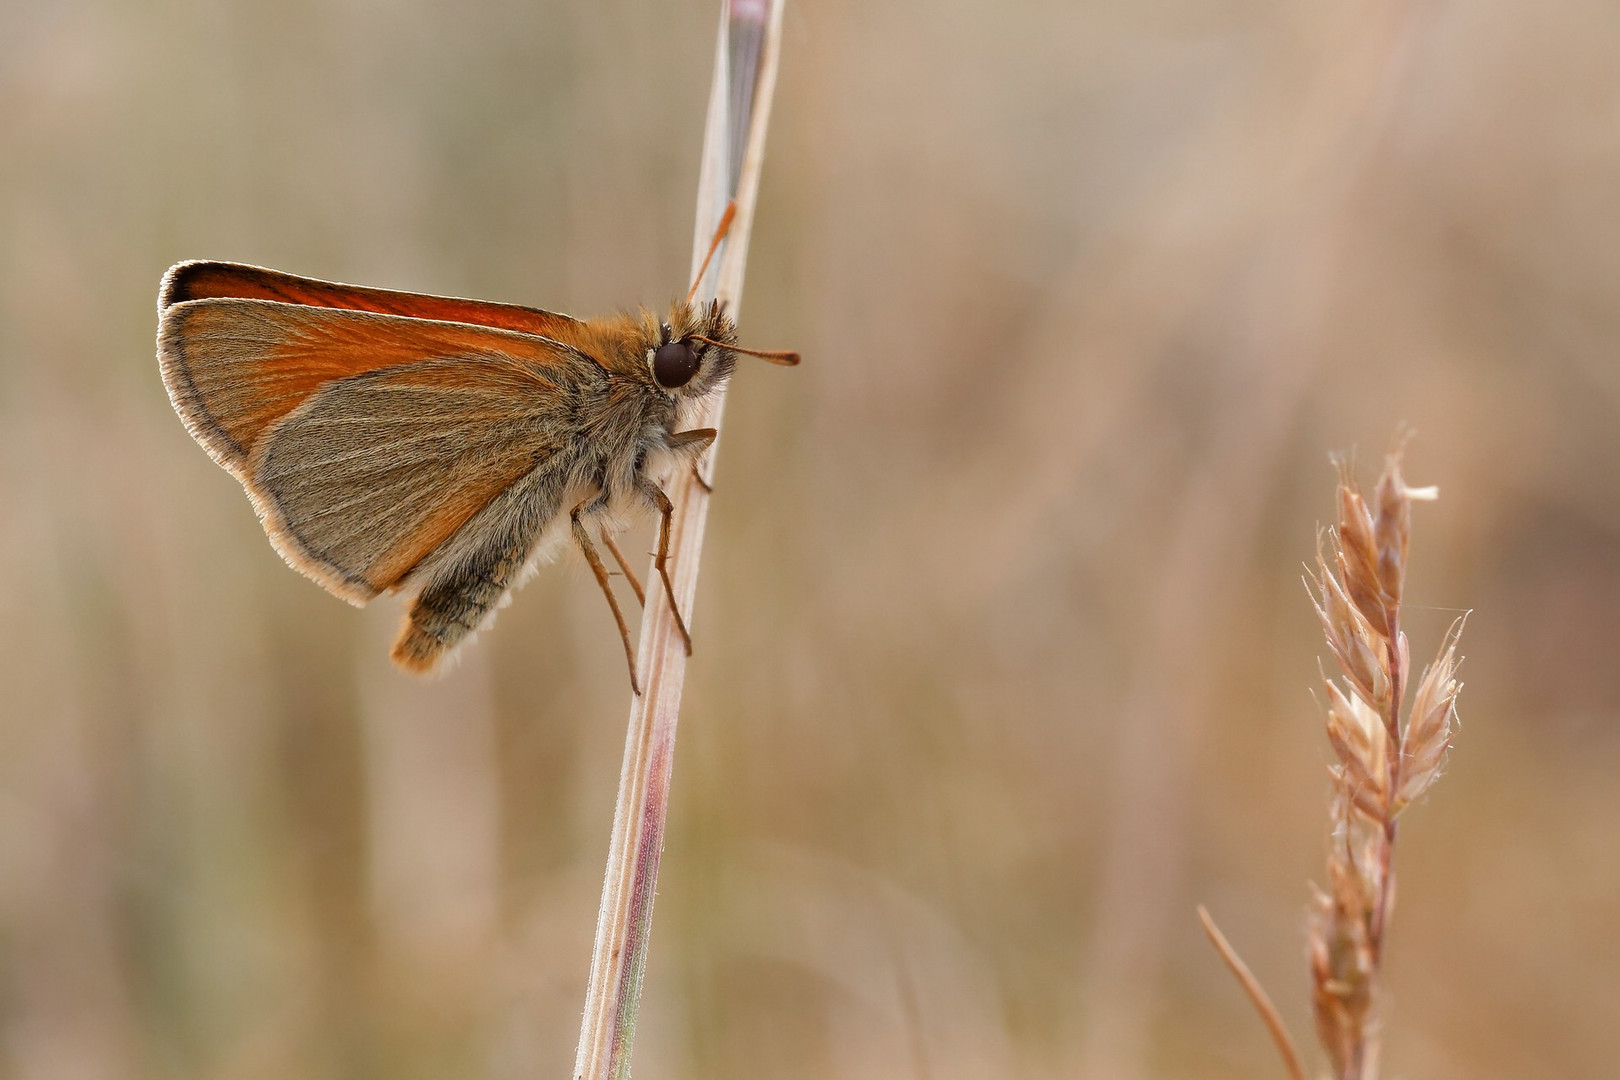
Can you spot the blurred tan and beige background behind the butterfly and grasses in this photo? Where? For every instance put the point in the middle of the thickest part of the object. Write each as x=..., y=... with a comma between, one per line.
x=1004, y=658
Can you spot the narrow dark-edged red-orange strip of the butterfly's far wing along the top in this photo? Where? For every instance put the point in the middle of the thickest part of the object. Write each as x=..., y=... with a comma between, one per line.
x=237, y=281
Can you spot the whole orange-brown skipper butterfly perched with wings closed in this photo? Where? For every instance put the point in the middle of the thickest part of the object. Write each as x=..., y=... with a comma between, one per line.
x=398, y=443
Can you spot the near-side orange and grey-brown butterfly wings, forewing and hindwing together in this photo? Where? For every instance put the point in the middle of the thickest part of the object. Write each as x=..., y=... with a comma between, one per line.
x=367, y=440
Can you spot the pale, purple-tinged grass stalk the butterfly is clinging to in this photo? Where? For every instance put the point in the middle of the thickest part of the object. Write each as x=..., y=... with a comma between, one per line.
x=746, y=59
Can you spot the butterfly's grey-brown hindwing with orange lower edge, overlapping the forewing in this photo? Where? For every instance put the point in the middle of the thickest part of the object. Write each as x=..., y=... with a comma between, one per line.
x=377, y=472
